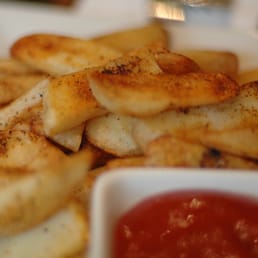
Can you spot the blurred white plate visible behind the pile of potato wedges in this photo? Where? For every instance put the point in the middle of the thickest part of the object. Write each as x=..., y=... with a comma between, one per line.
x=17, y=21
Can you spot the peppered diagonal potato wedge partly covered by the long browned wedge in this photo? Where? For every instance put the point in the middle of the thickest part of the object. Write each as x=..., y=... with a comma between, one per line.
x=68, y=100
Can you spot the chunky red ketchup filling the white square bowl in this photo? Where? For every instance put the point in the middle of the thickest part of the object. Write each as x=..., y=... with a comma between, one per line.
x=188, y=225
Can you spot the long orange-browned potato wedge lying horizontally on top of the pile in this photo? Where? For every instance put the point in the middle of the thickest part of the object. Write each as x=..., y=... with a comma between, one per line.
x=148, y=94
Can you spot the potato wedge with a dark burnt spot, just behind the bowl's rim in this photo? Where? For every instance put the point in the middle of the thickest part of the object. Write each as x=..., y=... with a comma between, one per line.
x=169, y=151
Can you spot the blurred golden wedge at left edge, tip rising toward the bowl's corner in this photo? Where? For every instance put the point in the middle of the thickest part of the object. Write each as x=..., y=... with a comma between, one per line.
x=29, y=197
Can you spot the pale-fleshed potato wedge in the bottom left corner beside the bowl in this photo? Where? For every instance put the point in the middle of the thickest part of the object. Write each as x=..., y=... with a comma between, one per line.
x=61, y=235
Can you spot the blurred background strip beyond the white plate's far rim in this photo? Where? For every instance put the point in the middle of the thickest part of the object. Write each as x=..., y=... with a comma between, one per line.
x=242, y=14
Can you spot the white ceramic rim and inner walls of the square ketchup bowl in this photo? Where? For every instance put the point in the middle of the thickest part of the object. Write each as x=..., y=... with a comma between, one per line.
x=118, y=191
